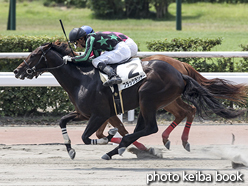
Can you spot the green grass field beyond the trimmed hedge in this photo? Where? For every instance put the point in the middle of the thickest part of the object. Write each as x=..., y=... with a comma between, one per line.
x=203, y=20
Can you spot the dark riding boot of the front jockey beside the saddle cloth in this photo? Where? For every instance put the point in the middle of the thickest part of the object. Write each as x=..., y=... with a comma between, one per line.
x=113, y=78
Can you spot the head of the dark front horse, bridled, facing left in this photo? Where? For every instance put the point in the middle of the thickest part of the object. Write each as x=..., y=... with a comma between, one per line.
x=31, y=66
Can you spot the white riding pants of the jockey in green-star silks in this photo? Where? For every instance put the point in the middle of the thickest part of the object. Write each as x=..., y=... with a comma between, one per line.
x=120, y=53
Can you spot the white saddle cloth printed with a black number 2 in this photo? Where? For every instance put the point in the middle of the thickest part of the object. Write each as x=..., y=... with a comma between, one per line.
x=130, y=73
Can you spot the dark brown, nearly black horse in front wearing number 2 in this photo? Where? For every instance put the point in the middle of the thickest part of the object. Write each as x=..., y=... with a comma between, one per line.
x=92, y=100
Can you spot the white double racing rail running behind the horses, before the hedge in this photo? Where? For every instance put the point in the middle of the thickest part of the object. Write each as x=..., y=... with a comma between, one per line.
x=7, y=79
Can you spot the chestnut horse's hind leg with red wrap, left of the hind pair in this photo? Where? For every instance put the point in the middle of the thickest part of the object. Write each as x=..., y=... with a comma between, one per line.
x=179, y=113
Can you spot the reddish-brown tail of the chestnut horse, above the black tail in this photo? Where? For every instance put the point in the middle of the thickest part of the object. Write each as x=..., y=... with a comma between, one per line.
x=219, y=87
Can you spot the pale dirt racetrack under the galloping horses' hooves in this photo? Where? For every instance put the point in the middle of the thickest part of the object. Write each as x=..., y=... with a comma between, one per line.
x=36, y=156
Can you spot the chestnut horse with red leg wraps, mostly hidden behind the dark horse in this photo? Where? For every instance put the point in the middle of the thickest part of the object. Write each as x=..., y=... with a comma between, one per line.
x=220, y=87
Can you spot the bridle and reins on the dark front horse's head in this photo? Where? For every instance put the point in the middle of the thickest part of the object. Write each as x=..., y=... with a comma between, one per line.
x=31, y=70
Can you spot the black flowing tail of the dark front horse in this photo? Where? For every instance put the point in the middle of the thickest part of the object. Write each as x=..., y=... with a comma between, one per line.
x=203, y=100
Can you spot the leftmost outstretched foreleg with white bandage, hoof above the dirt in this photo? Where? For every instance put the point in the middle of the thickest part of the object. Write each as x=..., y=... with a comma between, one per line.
x=63, y=121
